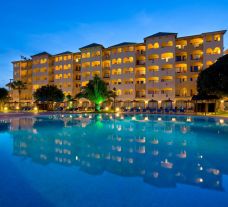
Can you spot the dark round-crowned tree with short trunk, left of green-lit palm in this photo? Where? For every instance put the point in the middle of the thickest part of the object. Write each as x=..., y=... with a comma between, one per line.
x=49, y=94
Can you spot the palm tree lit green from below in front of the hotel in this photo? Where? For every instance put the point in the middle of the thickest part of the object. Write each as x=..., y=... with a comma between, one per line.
x=96, y=91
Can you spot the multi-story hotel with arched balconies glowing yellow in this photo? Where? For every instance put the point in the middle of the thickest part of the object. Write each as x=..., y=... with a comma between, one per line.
x=163, y=67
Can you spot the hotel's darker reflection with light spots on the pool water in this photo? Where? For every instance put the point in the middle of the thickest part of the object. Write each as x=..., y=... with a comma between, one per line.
x=163, y=154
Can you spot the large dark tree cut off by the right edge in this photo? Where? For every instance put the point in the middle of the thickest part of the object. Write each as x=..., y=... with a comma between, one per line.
x=214, y=80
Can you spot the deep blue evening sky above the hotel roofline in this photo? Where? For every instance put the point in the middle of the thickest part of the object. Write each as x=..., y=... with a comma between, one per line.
x=30, y=27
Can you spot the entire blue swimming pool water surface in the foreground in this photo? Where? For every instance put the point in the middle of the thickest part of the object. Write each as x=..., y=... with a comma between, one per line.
x=106, y=160
